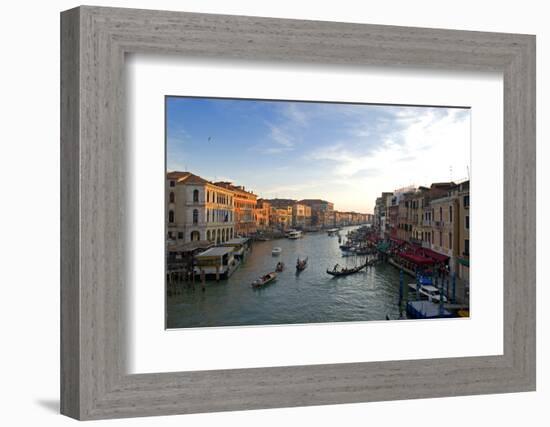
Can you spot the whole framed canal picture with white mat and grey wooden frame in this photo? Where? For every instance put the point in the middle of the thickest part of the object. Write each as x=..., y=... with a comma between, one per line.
x=262, y=213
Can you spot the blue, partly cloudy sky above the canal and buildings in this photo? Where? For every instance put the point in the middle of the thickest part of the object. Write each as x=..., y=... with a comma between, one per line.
x=344, y=153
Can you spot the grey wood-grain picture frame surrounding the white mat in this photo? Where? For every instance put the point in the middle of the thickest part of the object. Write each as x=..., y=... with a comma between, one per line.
x=94, y=379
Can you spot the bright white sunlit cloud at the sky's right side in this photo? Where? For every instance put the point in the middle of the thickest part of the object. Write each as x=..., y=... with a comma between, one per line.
x=405, y=146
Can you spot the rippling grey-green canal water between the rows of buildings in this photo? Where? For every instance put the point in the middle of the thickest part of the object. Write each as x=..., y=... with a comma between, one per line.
x=311, y=296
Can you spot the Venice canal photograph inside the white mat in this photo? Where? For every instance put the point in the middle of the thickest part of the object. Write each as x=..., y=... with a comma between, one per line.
x=281, y=212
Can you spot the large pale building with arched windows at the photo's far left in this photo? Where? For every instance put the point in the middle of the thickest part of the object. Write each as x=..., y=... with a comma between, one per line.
x=197, y=209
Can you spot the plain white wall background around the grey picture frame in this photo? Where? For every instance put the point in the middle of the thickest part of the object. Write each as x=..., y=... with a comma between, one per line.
x=29, y=213
